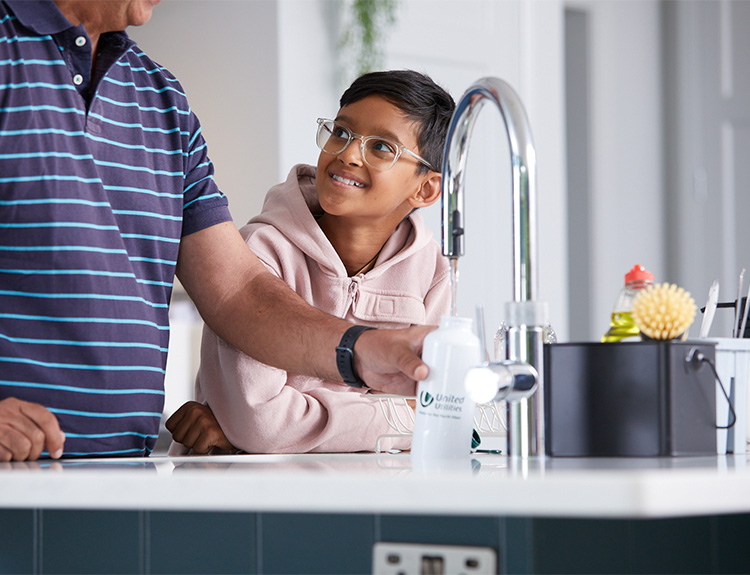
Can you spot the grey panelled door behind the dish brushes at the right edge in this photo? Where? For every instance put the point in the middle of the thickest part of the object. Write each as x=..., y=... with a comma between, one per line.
x=707, y=115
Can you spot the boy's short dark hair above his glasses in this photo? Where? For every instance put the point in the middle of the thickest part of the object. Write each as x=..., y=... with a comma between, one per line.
x=419, y=98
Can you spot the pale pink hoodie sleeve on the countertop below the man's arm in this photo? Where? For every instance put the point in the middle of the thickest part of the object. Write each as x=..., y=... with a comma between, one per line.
x=263, y=410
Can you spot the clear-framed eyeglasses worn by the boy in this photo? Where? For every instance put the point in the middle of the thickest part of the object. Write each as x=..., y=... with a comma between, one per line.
x=379, y=153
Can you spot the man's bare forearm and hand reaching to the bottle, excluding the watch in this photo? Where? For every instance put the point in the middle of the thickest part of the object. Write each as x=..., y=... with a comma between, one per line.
x=260, y=315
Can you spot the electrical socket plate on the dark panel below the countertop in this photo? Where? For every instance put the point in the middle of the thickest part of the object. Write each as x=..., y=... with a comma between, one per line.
x=418, y=559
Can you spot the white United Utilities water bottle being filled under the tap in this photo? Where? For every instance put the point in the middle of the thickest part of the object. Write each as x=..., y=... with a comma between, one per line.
x=444, y=418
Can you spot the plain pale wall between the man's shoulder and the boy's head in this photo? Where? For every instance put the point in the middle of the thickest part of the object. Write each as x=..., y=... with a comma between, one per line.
x=225, y=54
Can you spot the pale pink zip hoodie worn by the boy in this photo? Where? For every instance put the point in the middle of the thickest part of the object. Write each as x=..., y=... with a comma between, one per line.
x=267, y=410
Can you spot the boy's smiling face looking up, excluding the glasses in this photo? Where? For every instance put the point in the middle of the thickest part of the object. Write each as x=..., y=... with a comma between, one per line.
x=348, y=187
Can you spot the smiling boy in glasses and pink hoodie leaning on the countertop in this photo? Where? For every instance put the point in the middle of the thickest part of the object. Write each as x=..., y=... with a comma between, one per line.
x=346, y=237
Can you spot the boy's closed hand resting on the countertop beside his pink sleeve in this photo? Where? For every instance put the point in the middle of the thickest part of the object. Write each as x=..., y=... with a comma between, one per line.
x=194, y=426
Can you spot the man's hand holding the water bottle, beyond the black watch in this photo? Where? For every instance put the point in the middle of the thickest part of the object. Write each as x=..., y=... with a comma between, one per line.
x=388, y=360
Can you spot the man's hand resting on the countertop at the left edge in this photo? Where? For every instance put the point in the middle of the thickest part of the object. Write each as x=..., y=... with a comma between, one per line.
x=25, y=428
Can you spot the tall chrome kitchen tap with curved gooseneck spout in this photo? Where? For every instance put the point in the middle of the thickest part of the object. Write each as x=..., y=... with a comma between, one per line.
x=525, y=316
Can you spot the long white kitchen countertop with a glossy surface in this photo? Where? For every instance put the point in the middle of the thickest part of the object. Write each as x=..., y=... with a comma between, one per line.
x=387, y=484
